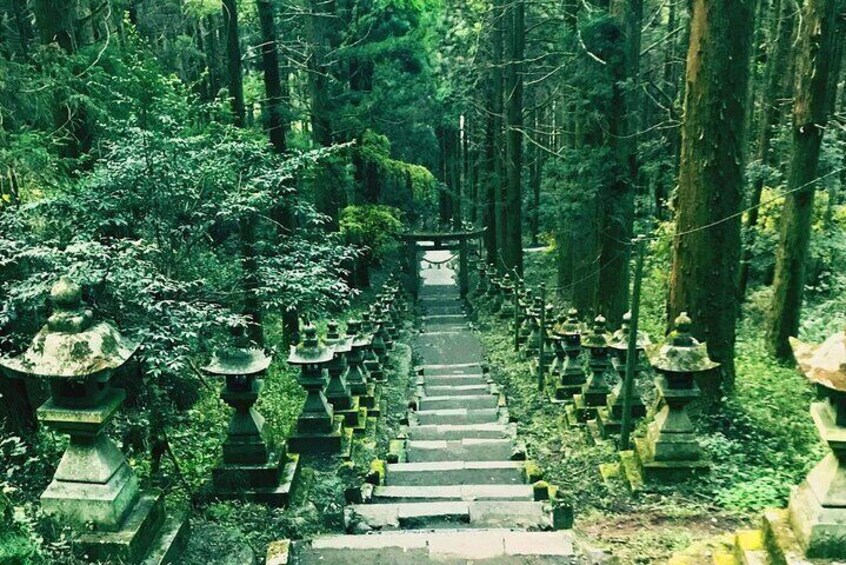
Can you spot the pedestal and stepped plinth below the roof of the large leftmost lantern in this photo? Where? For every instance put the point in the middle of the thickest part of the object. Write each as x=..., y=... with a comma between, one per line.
x=94, y=484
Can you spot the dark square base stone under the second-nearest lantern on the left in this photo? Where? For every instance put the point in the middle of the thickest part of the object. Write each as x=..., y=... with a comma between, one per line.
x=274, y=488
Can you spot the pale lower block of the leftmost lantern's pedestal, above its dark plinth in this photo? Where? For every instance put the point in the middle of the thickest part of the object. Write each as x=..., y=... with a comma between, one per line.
x=103, y=504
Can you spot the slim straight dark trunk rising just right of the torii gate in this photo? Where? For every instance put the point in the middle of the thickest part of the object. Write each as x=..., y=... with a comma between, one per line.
x=513, y=255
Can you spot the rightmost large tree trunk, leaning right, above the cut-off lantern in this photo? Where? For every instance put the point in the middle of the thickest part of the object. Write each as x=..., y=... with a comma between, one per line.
x=810, y=115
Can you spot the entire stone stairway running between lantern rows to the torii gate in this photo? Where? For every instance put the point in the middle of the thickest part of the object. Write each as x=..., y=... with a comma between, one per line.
x=457, y=487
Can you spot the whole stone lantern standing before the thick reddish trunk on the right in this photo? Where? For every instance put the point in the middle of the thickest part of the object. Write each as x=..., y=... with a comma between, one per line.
x=670, y=451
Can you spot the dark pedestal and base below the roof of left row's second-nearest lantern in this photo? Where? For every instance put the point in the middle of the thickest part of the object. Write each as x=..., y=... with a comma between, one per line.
x=253, y=469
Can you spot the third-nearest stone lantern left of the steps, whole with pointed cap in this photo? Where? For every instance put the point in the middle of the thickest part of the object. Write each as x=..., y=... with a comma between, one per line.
x=318, y=431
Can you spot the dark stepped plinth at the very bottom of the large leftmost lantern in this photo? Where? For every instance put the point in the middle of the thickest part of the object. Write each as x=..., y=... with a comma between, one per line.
x=147, y=535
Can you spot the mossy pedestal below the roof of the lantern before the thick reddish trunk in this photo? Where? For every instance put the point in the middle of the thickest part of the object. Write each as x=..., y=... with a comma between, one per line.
x=670, y=452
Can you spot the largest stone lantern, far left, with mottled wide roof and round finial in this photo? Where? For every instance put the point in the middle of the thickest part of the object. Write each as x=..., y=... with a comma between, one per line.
x=94, y=488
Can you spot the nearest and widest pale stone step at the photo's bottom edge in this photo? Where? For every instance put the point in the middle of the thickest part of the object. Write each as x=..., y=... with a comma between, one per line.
x=448, y=547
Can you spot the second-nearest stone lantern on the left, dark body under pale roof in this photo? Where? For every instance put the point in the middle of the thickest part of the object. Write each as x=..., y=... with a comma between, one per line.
x=253, y=467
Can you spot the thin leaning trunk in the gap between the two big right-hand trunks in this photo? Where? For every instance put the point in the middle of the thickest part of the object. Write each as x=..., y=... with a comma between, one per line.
x=774, y=90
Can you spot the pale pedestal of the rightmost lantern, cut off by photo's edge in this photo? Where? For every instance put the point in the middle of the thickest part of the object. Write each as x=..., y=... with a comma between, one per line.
x=817, y=507
